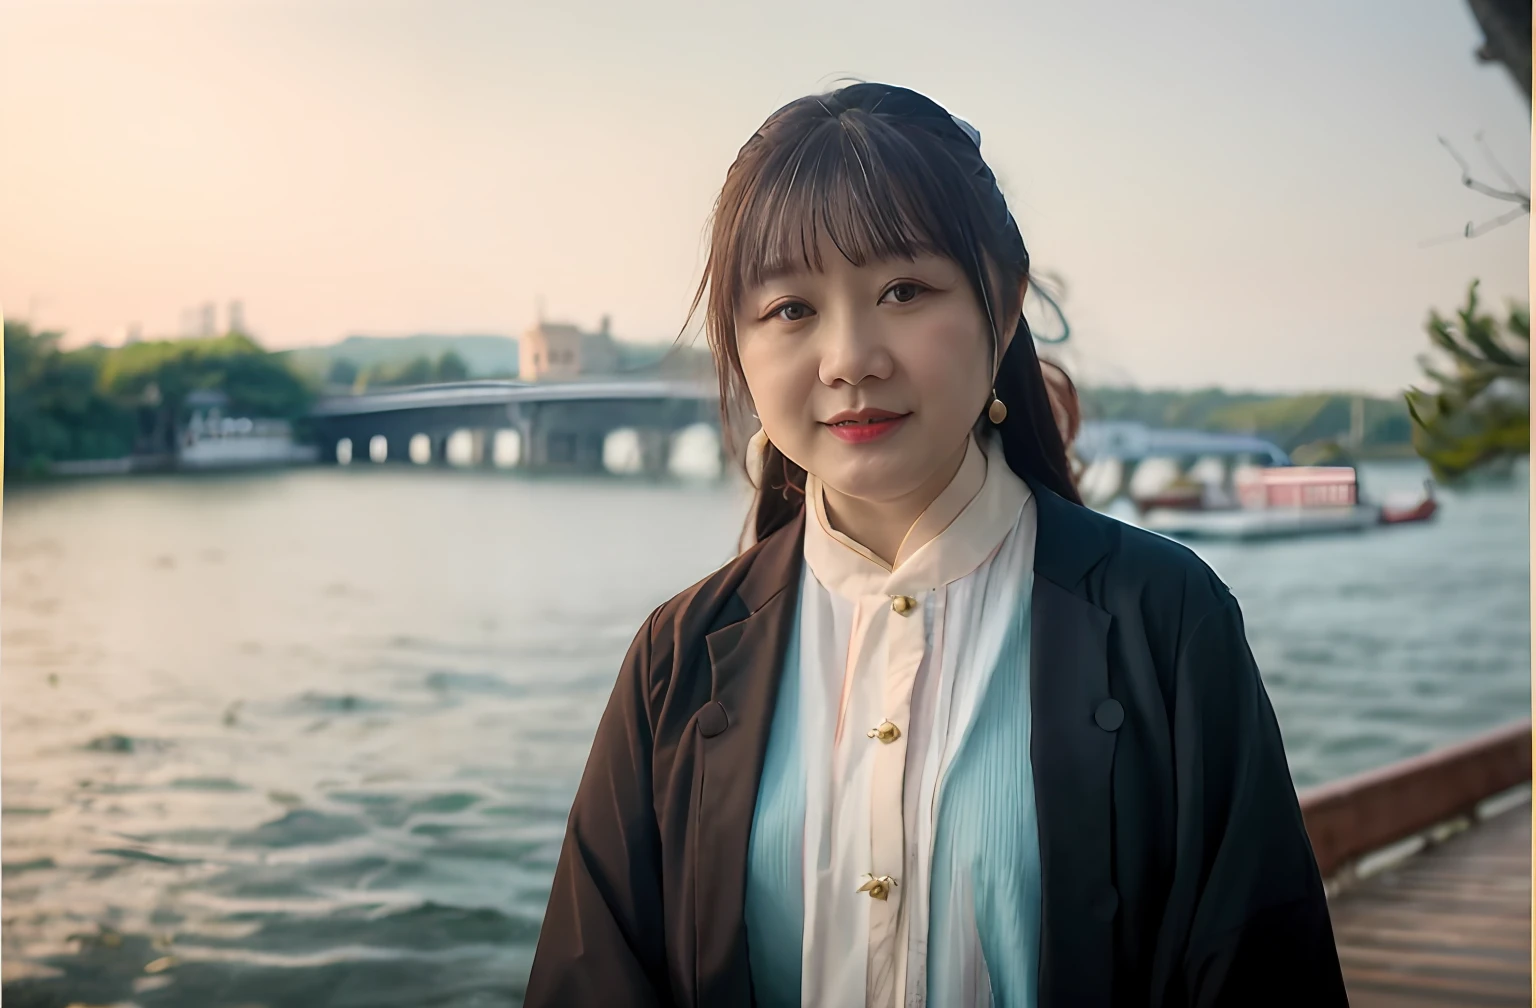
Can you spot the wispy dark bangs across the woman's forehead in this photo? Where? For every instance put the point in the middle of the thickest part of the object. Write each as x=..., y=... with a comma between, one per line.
x=855, y=182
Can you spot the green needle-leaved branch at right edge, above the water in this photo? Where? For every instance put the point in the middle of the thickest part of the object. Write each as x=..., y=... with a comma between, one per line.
x=1478, y=413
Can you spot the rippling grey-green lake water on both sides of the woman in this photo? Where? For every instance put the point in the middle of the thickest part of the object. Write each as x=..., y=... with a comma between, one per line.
x=310, y=738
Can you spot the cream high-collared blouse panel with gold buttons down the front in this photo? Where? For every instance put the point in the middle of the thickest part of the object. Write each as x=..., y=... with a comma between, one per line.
x=893, y=663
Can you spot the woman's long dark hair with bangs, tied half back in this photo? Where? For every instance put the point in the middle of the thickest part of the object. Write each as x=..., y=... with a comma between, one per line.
x=882, y=173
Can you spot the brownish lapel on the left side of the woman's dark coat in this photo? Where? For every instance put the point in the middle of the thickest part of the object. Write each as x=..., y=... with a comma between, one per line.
x=746, y=666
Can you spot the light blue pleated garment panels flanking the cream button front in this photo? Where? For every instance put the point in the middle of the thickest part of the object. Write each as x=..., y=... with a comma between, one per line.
x=985, y=883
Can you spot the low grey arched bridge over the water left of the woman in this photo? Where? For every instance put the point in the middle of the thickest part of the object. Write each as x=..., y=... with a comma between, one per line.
x=560, y=426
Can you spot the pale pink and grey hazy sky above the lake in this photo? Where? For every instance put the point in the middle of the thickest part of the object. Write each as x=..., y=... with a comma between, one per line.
x=1236, y=193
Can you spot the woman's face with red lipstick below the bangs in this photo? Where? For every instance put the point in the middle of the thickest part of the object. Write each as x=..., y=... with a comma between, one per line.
x=870, y=377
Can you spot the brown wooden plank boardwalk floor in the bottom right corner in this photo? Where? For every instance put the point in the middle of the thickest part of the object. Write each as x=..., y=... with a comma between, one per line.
x=1448, y=927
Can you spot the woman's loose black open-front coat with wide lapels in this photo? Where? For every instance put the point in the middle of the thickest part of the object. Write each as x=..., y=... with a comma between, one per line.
x=1176, y=866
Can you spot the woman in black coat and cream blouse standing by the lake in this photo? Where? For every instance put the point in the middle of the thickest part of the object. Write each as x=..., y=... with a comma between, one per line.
x=941, y=735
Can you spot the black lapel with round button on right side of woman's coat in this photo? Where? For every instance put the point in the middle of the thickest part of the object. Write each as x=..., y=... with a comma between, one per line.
x=1073, y=746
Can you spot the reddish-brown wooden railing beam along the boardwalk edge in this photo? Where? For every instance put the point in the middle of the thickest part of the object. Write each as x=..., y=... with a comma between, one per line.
x=1369, y=812
